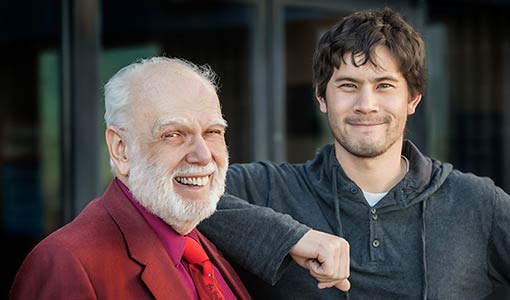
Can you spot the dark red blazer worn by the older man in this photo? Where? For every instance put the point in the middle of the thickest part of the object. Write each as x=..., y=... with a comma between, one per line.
x=108, y=252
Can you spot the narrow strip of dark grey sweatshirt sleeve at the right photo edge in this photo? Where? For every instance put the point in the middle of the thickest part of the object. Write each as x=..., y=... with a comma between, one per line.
x=499, y=260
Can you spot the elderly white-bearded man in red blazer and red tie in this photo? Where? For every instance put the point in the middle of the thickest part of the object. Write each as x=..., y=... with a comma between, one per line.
x=165, y=136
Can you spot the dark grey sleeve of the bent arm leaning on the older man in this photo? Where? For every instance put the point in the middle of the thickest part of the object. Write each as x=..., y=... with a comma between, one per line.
x=252, y=235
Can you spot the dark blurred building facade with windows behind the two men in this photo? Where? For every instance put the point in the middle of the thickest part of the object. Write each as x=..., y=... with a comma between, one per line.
x=57, y=54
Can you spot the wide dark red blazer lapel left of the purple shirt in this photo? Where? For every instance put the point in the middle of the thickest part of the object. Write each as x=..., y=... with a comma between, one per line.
x=158, y=273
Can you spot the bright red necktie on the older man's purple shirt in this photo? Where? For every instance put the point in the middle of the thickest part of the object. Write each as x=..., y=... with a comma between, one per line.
x=201, y=270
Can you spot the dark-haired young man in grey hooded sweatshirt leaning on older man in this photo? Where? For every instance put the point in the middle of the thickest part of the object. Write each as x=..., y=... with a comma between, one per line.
x=416, y=228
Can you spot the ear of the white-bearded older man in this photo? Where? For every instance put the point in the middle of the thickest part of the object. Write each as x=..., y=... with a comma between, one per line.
x=118, y=149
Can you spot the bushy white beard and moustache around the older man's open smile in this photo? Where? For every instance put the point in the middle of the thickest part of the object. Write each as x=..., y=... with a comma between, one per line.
x=153, y=188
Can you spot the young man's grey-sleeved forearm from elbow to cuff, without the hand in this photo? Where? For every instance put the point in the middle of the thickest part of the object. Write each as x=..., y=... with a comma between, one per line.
x=257, y=238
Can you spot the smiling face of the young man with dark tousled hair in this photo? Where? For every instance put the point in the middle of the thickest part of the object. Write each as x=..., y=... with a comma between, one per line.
x=367, y=106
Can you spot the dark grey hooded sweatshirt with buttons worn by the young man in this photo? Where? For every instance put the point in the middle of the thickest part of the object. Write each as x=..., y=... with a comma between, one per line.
x=438, y=234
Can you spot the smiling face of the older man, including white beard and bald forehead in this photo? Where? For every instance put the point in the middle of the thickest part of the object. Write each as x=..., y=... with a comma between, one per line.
x=178, y=158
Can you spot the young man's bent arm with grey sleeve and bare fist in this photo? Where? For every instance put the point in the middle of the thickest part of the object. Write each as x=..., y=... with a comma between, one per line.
x=260, y=239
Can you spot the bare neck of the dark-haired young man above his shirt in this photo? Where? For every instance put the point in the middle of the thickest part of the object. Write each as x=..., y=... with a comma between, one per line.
x=376, y=174
